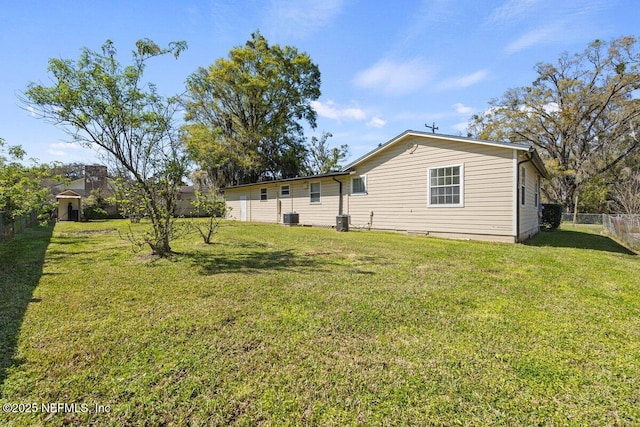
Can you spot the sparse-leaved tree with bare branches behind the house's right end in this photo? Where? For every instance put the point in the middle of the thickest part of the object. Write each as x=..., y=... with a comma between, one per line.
x=582, y=113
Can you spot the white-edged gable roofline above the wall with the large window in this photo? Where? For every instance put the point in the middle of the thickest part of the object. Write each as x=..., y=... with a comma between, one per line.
x=537, y=161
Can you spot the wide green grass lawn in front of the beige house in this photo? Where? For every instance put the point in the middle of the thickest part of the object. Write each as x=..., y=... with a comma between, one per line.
x=306, y=326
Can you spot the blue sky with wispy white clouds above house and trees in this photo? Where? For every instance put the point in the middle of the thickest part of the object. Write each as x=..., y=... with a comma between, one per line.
x=387, y=66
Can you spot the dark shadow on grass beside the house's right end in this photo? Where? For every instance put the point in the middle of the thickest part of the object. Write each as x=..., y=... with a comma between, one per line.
x=563, y=238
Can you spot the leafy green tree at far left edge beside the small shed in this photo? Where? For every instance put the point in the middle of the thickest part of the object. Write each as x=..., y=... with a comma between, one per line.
x=20, y=185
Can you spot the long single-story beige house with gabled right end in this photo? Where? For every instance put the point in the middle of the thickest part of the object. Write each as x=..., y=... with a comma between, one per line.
x=418, y=182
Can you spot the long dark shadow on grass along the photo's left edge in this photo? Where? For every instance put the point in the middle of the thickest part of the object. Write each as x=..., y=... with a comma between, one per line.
x=21, y=263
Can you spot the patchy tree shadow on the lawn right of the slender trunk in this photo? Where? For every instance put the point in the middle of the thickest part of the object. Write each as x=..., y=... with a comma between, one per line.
x=256, y=261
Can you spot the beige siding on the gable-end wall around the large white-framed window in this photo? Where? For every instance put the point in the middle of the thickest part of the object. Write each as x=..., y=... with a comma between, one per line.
x=398, y=188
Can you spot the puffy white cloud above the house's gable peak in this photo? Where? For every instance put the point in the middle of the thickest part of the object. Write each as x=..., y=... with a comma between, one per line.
x=394, y=77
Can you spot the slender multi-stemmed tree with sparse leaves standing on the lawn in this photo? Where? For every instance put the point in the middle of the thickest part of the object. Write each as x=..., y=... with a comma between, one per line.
x=101, y=103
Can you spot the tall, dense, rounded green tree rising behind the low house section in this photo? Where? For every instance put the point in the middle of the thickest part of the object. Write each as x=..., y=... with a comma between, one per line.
x=244, y=113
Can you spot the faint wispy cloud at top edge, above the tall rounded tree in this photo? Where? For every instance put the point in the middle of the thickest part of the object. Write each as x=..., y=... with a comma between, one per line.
x=301, y=19
